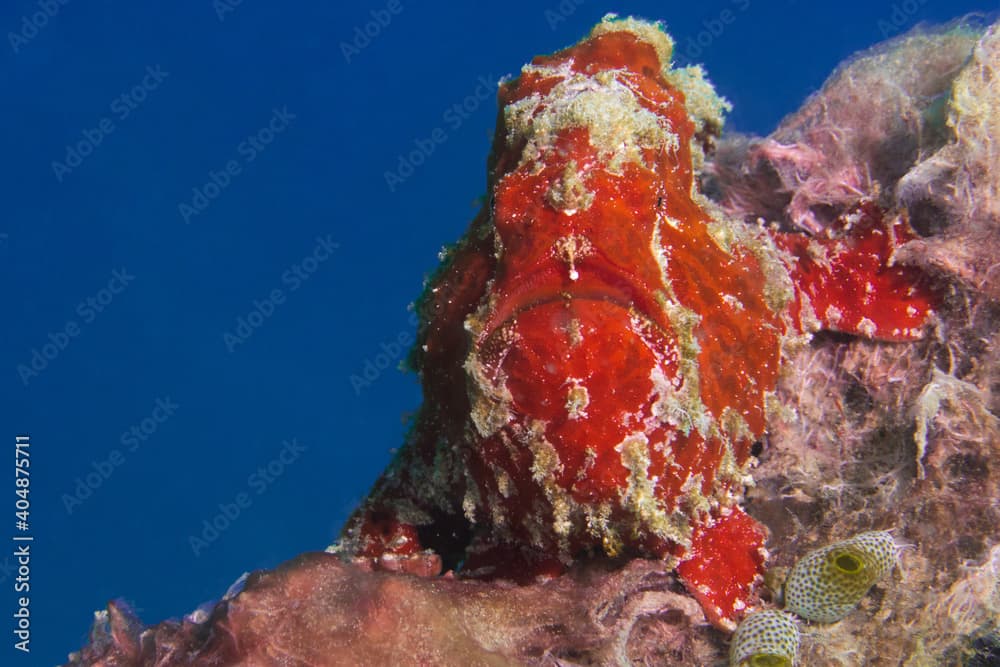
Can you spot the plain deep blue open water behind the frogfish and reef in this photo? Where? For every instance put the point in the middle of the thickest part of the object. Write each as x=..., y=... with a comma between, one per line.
x=146, y=421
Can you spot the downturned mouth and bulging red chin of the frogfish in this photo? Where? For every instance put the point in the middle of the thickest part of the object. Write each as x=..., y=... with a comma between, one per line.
x=551, y=339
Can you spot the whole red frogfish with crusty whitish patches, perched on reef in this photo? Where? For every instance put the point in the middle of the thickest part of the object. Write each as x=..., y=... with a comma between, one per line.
x=599, y=350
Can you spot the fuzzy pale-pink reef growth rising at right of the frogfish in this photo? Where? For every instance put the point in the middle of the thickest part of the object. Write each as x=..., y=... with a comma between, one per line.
x=901, y=437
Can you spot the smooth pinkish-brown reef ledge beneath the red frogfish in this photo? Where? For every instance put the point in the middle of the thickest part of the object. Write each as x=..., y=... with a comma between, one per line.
x=317, y=610
